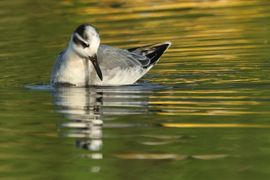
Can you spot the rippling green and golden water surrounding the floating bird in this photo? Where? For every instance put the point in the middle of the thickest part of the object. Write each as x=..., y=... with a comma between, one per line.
x=202, y=113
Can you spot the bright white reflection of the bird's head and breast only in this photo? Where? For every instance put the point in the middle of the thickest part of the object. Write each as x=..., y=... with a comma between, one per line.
x=82, y=106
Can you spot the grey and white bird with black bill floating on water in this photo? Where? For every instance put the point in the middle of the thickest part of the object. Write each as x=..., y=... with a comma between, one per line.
x=87, y=62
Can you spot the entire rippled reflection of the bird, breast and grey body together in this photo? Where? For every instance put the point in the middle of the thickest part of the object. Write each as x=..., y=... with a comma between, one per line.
x=86, y=108
